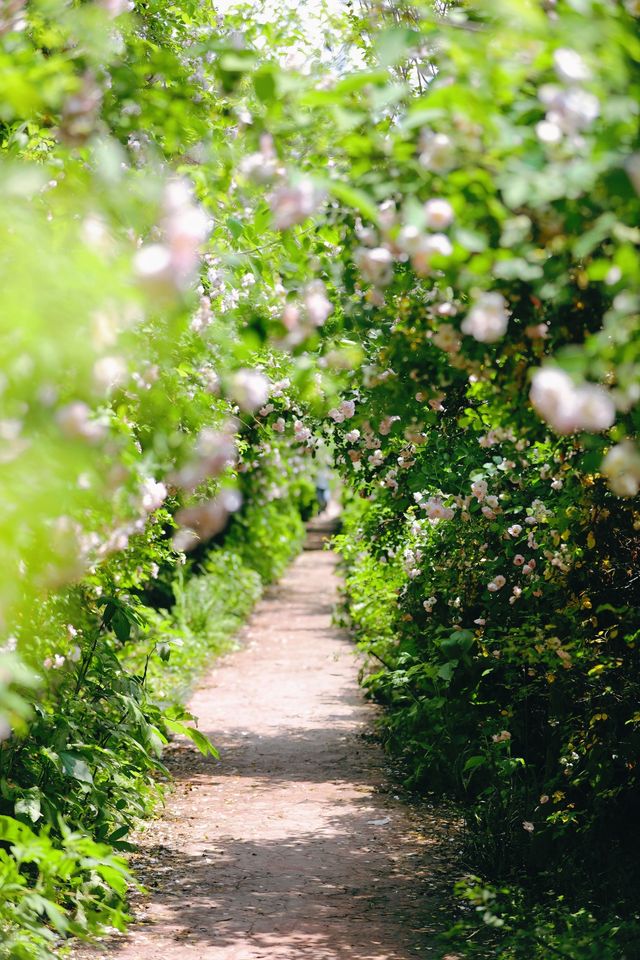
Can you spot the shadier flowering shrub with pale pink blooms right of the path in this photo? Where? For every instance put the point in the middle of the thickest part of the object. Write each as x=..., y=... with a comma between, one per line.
x=490, y=565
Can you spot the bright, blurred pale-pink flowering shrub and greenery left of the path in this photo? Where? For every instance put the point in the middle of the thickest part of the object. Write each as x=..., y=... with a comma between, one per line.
x=148, y=433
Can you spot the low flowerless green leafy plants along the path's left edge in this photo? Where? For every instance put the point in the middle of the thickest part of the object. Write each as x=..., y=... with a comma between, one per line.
x=76, y=783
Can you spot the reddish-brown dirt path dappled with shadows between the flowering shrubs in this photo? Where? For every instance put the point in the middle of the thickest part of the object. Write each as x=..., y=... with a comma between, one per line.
x=293, y=846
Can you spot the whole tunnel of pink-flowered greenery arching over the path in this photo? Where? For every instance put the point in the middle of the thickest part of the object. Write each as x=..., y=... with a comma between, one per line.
x=239, y=242
